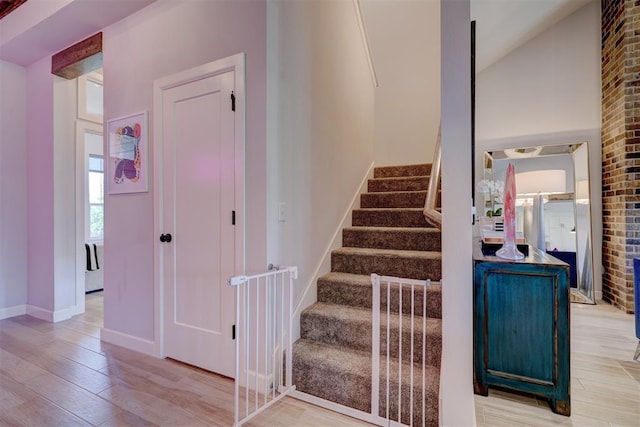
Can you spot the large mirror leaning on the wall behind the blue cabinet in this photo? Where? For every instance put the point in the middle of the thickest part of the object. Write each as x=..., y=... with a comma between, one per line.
x=552, y=206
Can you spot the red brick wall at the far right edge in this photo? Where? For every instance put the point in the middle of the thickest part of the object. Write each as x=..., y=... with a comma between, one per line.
x=620, y=148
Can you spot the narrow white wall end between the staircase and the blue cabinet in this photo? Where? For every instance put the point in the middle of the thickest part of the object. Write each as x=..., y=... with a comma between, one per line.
x=456, y=378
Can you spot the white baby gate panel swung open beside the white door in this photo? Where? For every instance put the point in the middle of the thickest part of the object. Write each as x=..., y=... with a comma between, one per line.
x=263, y=373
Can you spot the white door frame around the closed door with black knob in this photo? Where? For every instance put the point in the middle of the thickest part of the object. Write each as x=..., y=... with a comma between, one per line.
x=235, y=63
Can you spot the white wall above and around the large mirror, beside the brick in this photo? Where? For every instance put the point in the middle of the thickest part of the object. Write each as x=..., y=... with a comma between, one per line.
x=548, y=92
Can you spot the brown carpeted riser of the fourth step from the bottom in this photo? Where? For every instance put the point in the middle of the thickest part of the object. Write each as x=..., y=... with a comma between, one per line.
x=415, y=268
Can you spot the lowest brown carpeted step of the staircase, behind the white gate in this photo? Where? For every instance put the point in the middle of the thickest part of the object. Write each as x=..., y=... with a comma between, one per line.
x=344, y=376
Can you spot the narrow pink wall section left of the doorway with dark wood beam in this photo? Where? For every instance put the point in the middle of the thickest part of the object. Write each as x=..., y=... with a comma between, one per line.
x=40, y=184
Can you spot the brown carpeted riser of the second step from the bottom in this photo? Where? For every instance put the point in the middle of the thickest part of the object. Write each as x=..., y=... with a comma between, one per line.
x=357, y=335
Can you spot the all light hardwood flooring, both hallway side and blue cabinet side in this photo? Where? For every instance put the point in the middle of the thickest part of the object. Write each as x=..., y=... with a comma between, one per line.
x=63, y=375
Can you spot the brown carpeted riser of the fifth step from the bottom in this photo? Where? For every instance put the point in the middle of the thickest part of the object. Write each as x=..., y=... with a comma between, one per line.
x=419, y=240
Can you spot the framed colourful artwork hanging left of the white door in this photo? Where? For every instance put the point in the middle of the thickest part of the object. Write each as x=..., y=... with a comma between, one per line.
x=127, y=165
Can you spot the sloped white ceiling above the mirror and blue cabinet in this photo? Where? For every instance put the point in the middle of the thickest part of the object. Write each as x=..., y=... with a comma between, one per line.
x=504, y=25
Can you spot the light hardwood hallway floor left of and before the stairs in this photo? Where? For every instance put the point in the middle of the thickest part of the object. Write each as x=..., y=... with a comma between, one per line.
x=63, y=375
